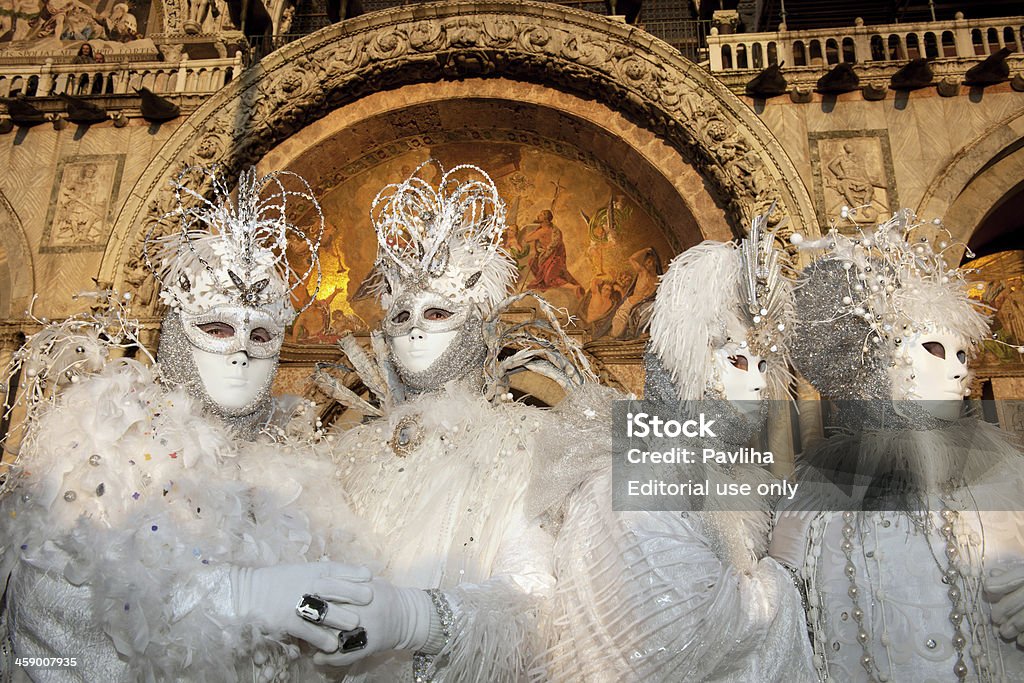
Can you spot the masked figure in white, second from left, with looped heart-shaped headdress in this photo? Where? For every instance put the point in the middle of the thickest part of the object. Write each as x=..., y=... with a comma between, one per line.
x=444, y=474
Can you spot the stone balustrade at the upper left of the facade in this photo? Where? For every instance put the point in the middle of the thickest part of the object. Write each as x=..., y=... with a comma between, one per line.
x=186, y=77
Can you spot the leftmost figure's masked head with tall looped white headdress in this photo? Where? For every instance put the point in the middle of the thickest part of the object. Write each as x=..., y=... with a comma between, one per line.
x=222, y=259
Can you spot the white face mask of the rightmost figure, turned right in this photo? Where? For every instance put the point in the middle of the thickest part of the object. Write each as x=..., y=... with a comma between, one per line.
x=931, y=368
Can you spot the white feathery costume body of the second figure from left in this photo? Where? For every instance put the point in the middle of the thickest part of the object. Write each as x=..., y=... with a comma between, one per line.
x=451, y=516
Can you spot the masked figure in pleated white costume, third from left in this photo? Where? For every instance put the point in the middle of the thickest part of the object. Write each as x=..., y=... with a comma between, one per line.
x=674, y=596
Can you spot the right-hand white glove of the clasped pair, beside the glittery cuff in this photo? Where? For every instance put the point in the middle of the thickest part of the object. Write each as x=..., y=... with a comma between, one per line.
x=396, y=619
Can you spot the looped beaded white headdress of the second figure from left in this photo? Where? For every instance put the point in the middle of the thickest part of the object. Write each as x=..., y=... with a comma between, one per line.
x=447, y=239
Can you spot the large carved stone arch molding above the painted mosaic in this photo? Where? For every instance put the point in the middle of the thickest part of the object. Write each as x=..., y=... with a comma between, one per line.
x=586, y=55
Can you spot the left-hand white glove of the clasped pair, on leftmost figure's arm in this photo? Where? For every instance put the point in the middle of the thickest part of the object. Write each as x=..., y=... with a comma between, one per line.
x=269, y=595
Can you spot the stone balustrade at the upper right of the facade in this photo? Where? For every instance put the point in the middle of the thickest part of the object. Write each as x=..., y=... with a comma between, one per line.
x=959, y=39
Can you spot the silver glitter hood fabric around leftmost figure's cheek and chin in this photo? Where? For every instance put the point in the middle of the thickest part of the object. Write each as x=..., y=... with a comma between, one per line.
x=179, y=368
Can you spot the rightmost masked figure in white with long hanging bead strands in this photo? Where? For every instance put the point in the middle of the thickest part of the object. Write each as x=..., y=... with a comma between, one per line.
x=904, y=582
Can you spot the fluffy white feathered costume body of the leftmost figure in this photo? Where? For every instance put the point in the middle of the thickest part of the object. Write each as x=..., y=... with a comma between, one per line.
x=123, y=561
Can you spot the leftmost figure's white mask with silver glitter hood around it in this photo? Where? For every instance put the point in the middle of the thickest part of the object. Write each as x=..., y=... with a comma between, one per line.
x=227, y=358
